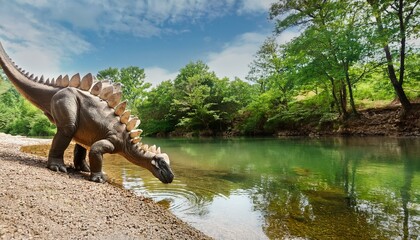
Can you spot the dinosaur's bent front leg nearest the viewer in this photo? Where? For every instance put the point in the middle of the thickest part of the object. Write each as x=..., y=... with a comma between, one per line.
x=95, y=159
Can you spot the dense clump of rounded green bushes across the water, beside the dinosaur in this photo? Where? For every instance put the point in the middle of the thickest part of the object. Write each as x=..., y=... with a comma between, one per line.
x=195, y=102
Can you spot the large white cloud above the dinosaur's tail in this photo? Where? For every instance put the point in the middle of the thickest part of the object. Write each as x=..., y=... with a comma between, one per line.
x=38, y=47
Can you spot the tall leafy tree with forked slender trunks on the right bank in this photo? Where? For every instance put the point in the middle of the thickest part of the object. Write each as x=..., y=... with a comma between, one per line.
x=334, y=41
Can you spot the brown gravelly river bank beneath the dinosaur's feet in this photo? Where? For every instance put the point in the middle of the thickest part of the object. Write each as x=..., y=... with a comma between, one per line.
x=36, y=203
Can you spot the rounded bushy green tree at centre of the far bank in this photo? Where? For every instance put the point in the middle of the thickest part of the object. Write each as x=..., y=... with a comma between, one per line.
x=202, y=101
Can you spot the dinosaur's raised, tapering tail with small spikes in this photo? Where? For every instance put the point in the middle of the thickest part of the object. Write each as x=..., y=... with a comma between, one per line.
x=37, y=93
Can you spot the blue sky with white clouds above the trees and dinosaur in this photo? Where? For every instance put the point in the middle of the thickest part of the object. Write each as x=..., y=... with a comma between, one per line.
x=53, y=37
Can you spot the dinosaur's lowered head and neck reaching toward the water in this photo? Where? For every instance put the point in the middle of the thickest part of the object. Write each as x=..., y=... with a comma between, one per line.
x=153, y=160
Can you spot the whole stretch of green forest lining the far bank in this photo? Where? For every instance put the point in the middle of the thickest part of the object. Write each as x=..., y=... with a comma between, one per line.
x=350, y=56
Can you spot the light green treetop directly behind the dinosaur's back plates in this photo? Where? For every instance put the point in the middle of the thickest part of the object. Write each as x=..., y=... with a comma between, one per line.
x=133, y=80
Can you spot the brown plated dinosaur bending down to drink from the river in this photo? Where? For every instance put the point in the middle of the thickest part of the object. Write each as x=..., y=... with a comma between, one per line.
x=91, y=113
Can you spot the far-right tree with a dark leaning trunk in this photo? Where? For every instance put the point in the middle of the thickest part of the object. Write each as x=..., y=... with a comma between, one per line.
x=396, y=21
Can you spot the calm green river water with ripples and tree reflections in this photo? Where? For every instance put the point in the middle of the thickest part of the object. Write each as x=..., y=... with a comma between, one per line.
x=332, y=188
